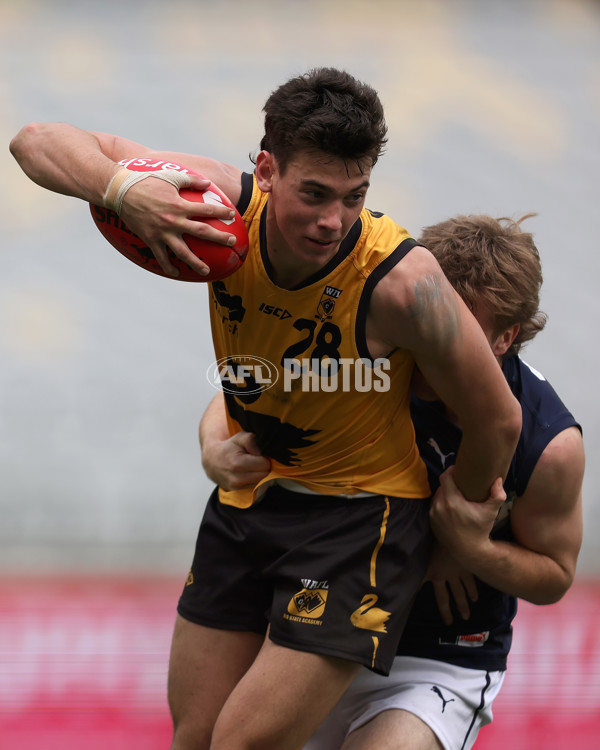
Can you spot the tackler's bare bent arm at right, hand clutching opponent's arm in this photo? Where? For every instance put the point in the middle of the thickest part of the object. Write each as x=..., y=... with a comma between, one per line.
x=546, y=522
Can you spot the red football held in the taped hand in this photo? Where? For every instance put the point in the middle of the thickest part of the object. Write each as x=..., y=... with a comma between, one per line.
x=221, y=260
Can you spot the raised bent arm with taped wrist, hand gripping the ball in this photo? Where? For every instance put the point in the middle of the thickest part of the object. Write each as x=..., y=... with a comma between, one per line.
x=80, y=163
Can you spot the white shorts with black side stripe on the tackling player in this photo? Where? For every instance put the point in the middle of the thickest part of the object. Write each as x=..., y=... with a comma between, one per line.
x=455, y=702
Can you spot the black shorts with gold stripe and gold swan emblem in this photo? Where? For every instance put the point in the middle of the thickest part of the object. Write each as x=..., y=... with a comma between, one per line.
x=329, y=575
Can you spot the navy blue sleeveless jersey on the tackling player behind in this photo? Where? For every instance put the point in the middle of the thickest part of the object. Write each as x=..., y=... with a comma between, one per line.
x=483, y=641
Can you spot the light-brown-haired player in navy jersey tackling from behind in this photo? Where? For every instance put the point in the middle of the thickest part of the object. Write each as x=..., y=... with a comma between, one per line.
x=521, y=543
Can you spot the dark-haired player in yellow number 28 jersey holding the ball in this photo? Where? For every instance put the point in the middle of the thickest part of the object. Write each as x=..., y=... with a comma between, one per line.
x=313, y=559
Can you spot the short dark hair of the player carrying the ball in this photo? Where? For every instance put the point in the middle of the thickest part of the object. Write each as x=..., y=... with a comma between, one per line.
x=325, y=110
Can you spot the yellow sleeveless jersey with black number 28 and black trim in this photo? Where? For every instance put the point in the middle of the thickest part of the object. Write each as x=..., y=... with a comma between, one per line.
x=295, y=369
